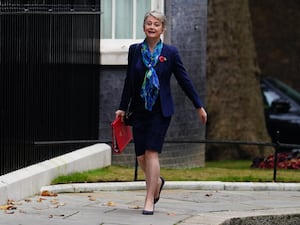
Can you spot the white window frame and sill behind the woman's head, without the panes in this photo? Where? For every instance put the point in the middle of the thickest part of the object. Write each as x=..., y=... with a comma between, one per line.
x=114, y=51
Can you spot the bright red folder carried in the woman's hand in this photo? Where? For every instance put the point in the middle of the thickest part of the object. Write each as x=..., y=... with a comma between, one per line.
x=121, y=135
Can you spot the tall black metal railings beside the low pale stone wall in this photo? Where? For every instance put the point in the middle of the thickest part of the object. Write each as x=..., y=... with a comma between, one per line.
x=49, y=54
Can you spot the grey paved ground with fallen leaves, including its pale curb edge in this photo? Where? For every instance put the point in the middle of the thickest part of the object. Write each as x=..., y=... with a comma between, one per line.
x=181, y=203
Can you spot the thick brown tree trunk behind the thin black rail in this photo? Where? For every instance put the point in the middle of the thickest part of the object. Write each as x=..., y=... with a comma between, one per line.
x=234, y=103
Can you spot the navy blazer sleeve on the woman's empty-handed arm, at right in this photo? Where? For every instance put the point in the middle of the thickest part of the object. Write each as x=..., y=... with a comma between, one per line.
x=184, y=80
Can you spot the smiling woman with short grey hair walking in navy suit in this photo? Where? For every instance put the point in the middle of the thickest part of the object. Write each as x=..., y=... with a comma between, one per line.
x=147, y=86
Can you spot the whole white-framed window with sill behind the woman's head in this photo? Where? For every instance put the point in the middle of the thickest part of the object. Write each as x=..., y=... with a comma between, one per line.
x=122, y=25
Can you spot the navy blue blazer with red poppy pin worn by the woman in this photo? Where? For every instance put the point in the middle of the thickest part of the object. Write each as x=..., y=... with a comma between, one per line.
x=169, y=64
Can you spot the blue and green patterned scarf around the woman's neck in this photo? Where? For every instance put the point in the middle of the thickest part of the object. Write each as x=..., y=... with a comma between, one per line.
x=150, y=86
